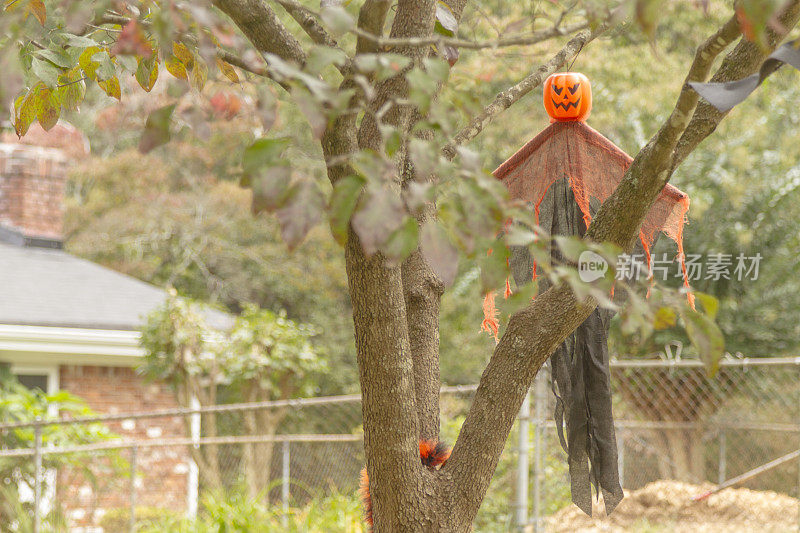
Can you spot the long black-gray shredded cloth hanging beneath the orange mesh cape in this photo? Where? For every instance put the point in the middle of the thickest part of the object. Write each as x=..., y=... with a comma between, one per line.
x=580, y=373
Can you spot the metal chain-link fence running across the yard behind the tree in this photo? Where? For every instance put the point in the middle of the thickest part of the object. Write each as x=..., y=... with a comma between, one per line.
x=673, y=422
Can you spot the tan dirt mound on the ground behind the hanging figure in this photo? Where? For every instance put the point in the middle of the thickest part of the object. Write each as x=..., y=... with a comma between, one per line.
x=667, y=506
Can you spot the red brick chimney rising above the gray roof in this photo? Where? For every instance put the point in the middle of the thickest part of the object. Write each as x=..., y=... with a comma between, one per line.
x=33, y=172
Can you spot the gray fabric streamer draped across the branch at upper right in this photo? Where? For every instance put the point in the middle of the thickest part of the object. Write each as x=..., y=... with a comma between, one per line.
x=725, y=95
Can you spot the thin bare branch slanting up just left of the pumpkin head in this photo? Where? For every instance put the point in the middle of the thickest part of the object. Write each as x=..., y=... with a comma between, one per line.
x=510, y=96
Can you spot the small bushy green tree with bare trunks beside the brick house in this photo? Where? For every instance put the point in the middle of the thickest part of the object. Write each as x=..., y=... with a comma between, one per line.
x=265, y=356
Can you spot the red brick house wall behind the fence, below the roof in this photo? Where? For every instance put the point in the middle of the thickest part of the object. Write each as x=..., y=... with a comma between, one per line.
x=163, y=473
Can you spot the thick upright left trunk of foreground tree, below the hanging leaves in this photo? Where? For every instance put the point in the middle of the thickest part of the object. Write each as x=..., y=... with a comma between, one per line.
x=386, y=374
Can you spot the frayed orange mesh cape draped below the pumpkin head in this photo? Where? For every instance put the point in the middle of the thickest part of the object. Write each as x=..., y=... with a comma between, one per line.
x=593, y=166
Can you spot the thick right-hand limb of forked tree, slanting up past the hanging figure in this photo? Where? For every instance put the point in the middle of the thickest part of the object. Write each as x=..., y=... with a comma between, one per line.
x=535, y=331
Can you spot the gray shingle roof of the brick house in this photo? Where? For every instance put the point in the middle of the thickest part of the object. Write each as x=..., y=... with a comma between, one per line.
x=45, y=287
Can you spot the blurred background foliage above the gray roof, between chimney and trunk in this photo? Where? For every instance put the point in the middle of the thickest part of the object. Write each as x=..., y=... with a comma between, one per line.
x=176, y=217
